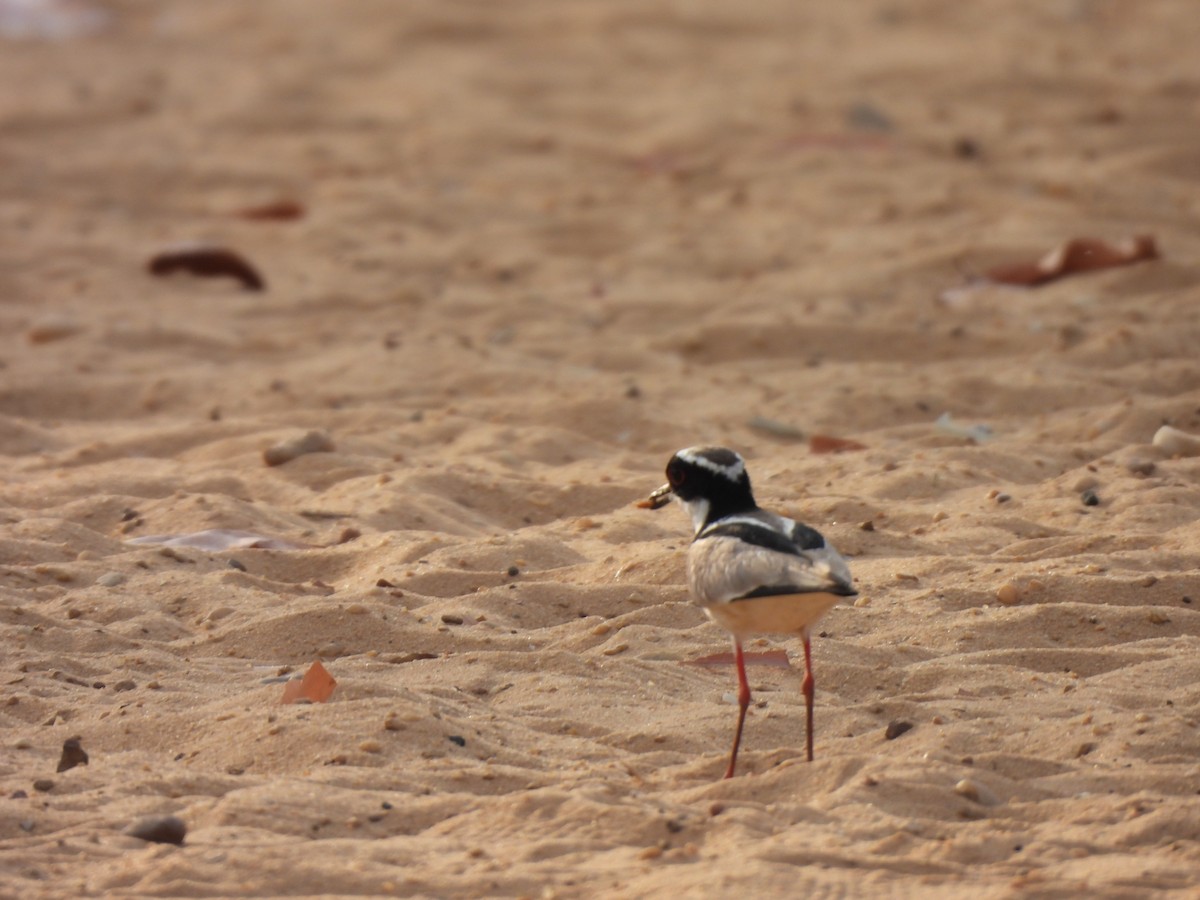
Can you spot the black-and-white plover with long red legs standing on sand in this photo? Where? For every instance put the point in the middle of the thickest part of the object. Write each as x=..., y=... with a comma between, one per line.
x=752, y=571
